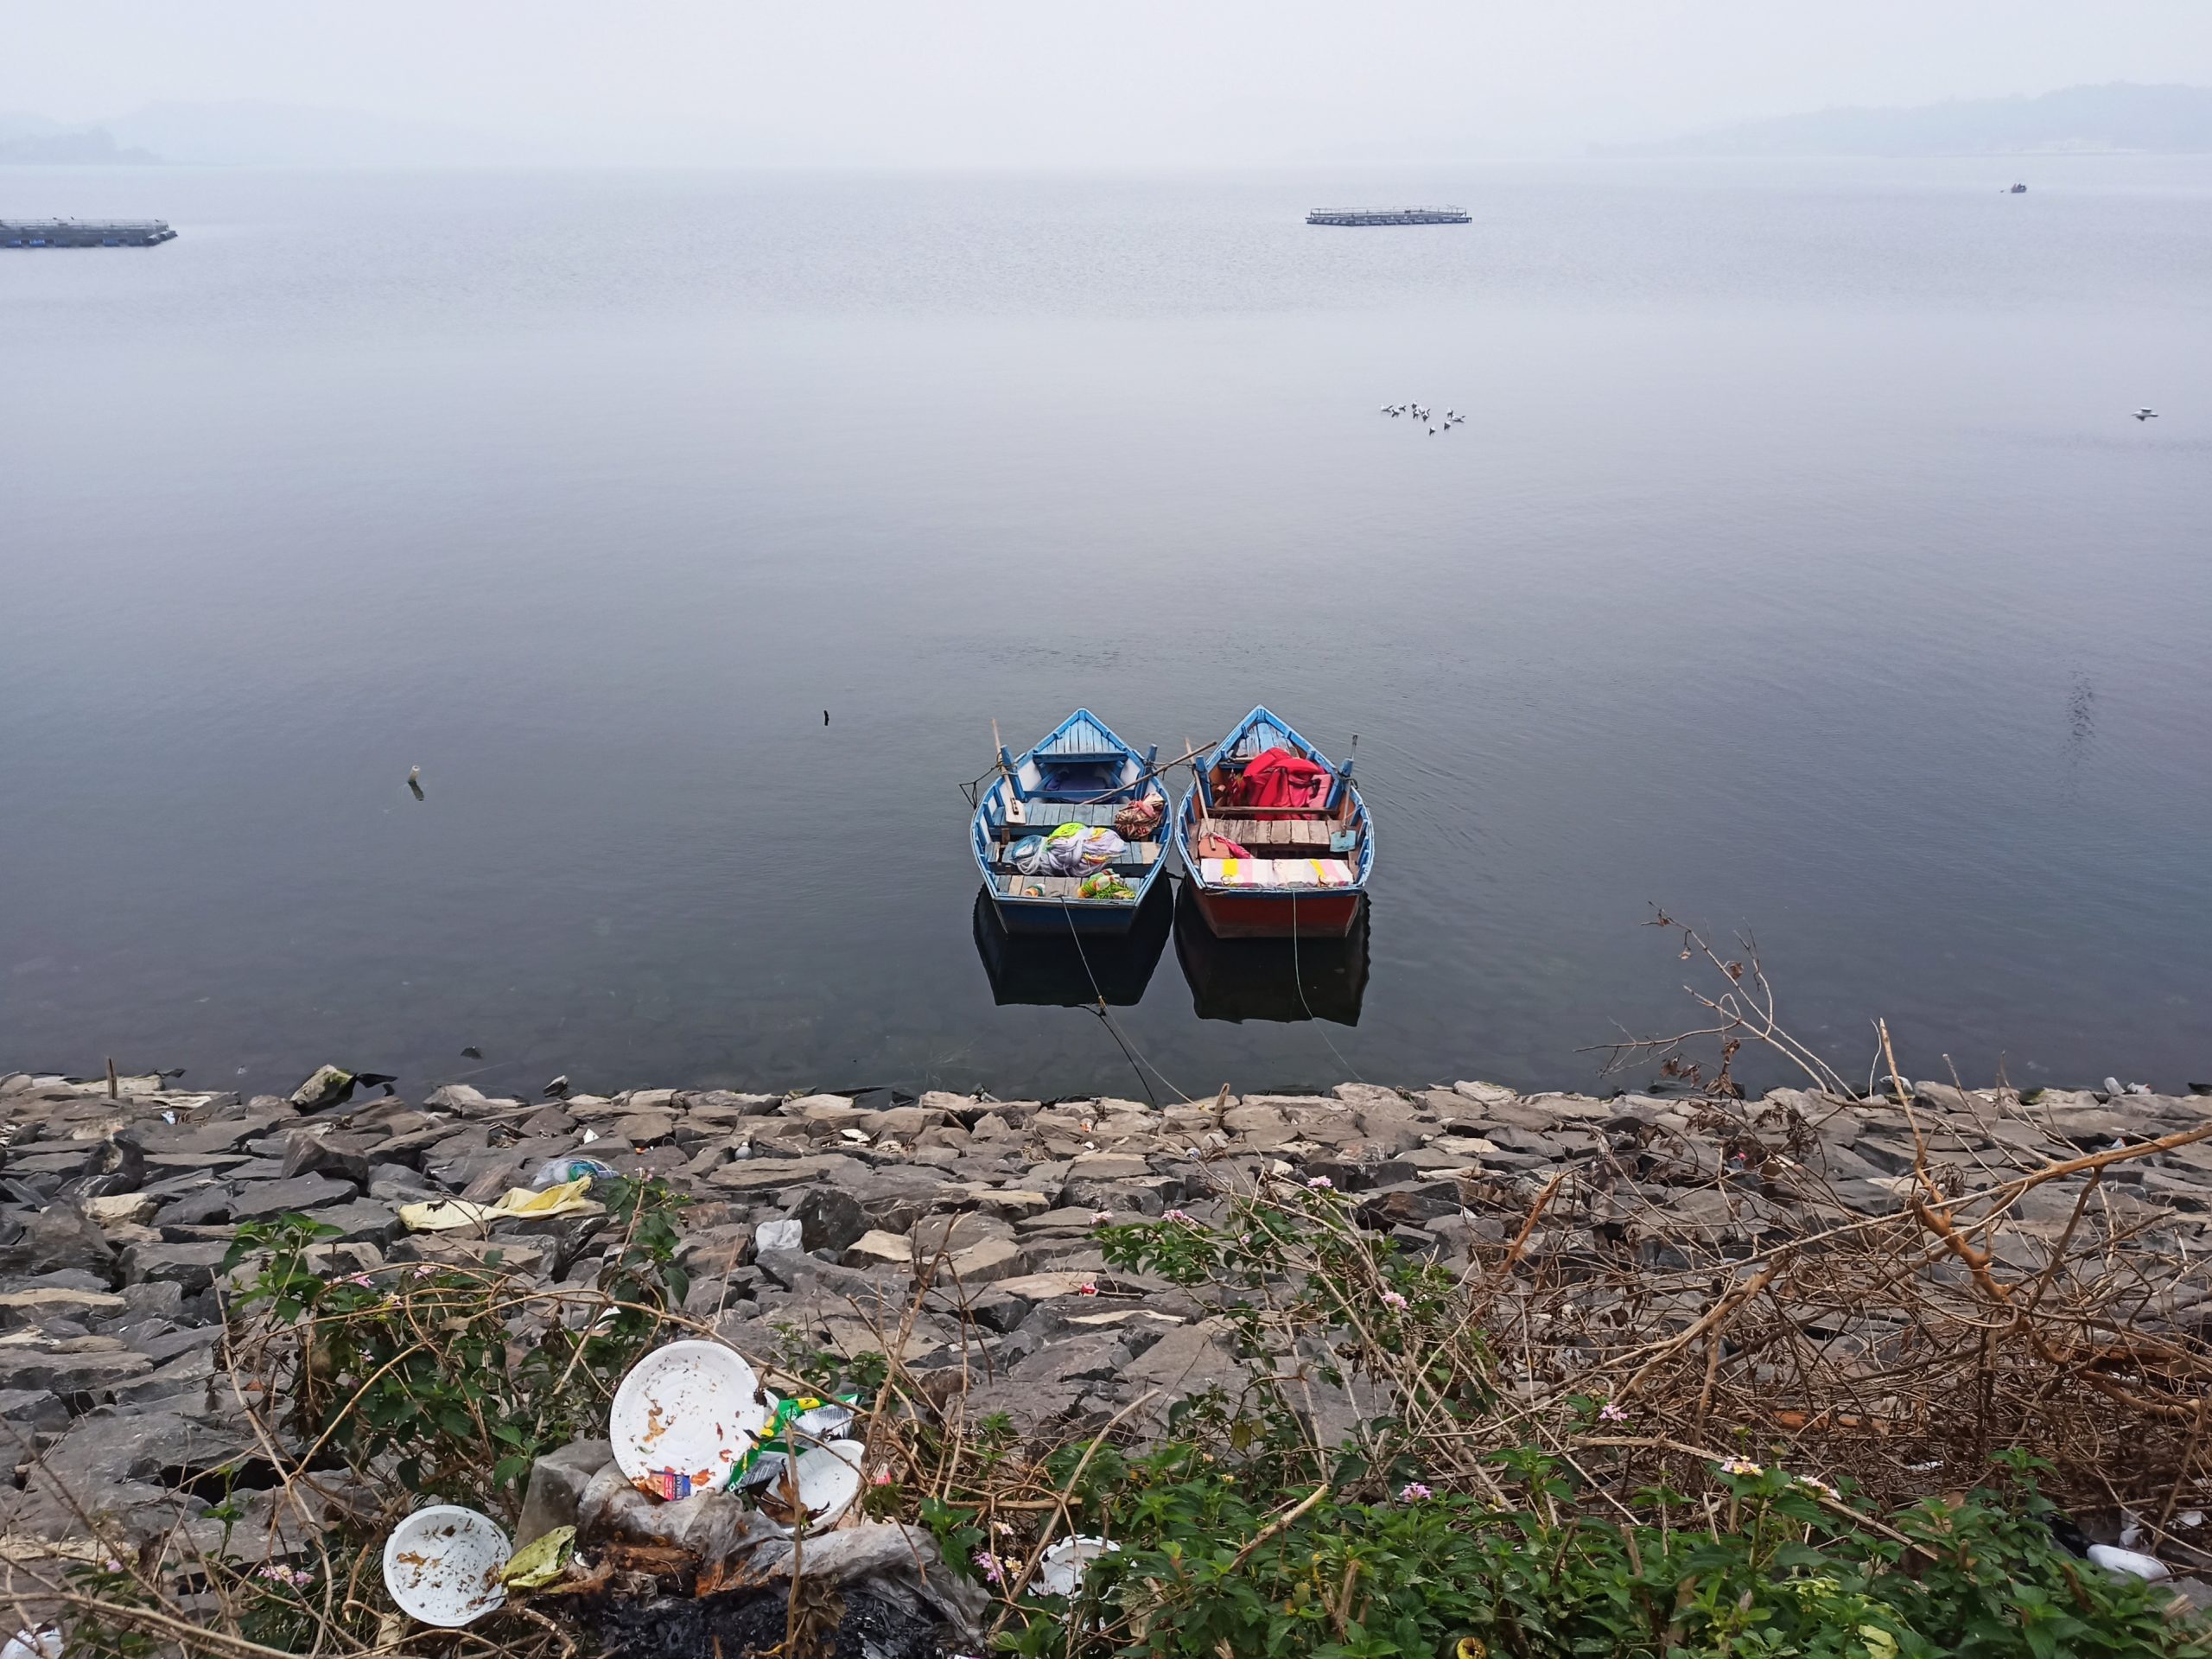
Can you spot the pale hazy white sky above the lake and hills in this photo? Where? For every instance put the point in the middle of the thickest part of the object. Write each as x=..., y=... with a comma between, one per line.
x=1041, y=83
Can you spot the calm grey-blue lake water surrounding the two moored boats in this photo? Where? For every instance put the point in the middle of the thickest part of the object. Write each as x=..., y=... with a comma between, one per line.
x=1797, y=570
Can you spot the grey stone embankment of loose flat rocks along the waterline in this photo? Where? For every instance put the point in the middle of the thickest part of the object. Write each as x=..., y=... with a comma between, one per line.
x=813, y=1218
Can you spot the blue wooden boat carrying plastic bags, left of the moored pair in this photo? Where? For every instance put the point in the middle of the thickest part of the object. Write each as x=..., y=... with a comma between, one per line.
x=1078, y=775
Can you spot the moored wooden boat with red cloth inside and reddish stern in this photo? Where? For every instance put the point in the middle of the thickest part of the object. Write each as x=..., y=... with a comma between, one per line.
x=1275, y=839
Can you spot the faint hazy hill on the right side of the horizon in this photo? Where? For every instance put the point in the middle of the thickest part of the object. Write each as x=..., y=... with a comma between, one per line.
x=2072, y=121
